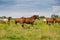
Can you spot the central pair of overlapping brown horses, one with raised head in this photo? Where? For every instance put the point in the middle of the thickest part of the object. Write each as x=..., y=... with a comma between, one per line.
x=29, y=20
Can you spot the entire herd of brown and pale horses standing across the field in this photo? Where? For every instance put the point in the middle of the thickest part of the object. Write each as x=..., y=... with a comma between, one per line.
x=30, y=20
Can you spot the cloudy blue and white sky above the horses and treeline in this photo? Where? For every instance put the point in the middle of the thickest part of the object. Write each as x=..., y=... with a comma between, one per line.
x=26, y=8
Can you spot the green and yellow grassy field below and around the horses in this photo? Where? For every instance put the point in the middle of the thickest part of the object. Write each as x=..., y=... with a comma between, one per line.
x=39, y=31
